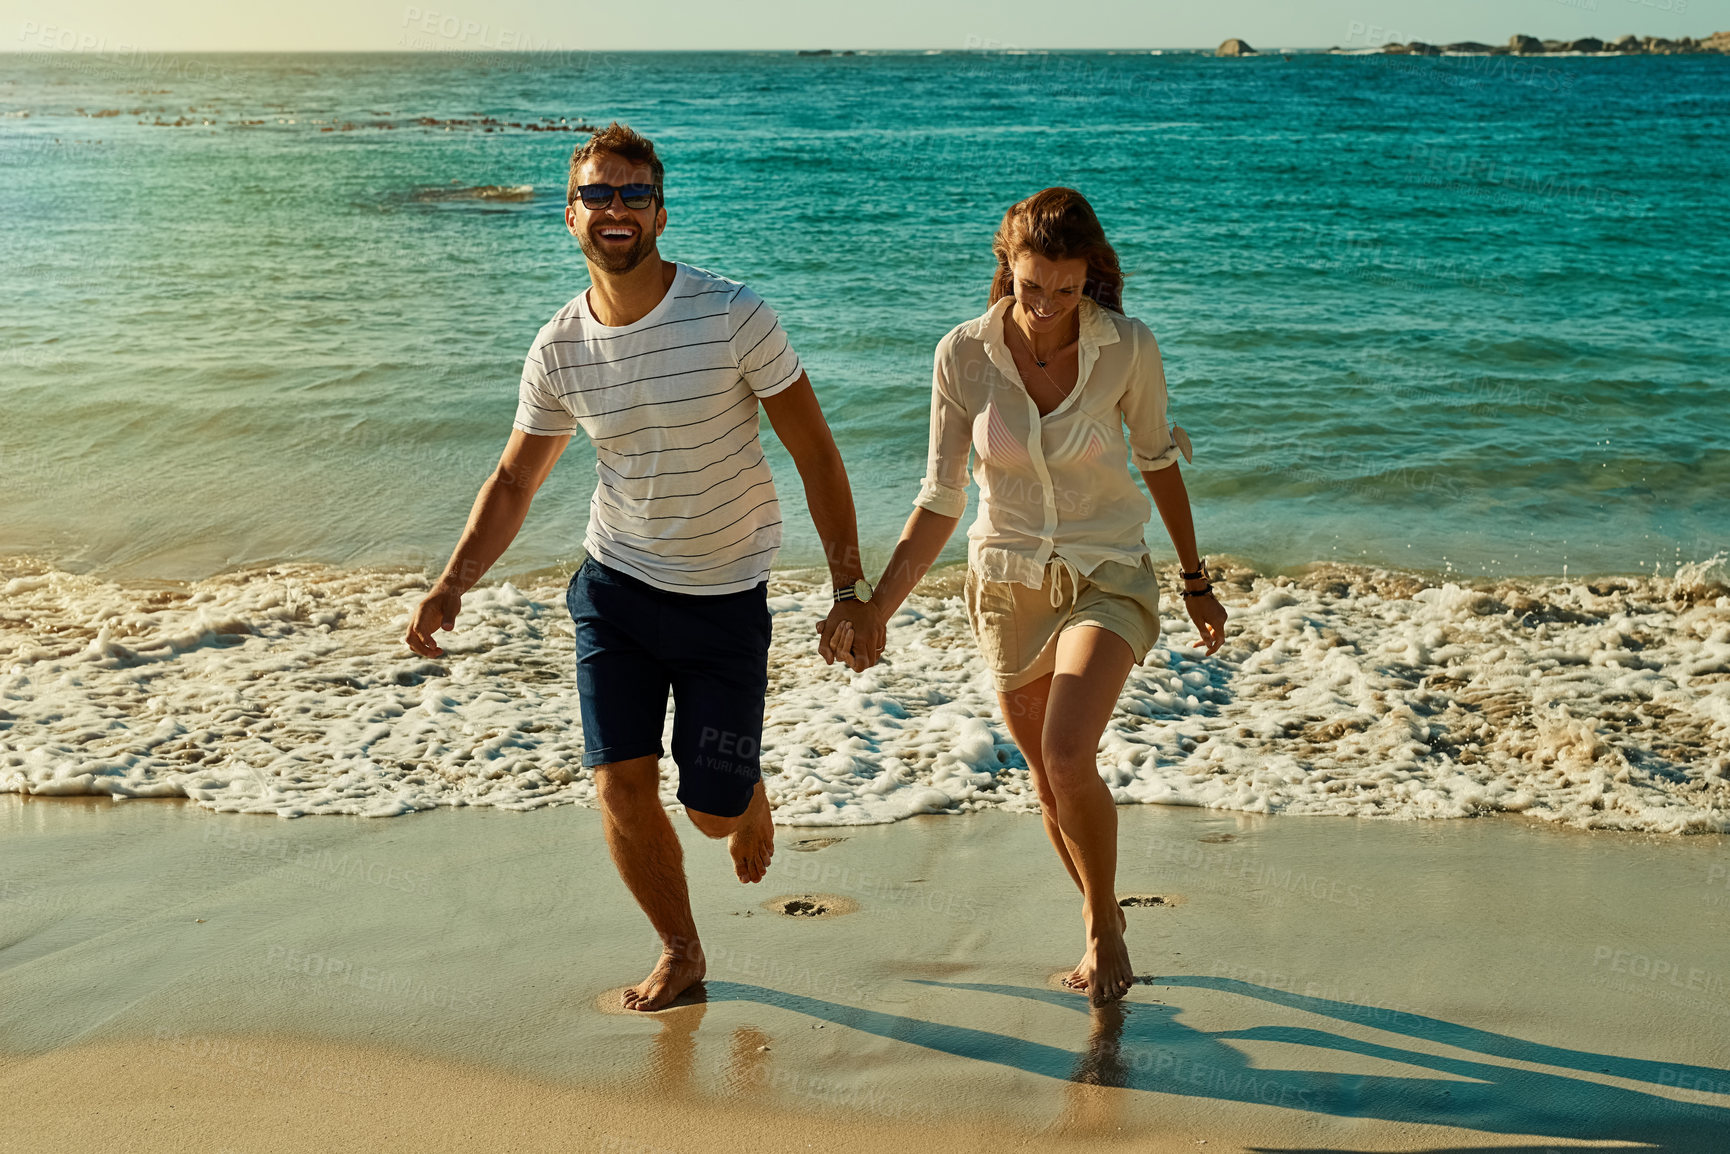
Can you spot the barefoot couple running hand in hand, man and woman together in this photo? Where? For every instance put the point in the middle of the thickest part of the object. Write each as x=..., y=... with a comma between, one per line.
x=665, y=368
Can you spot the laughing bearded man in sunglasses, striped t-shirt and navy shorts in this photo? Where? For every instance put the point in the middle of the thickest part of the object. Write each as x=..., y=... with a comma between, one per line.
x=663, y=366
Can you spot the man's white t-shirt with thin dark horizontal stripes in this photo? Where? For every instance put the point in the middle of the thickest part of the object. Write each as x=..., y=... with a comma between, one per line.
x=686, y=501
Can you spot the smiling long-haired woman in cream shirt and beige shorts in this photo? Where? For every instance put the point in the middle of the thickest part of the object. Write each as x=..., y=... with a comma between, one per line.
x=1061, y=589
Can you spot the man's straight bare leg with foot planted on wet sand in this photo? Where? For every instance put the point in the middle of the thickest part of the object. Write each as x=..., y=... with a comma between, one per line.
x=650, y=859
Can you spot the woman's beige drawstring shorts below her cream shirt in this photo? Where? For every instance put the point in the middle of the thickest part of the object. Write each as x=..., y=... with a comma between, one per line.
x=1018, y=627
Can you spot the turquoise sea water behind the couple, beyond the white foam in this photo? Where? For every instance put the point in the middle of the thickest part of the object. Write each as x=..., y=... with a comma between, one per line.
x=1430, y=312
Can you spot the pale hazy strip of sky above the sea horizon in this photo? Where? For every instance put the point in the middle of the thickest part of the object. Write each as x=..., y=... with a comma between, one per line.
x=650, y=25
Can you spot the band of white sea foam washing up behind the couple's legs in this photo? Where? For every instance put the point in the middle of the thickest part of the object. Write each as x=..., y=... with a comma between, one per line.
x=1347, y=691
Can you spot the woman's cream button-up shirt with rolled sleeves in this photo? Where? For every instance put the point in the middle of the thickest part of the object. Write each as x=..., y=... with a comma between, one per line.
x=1056, y=485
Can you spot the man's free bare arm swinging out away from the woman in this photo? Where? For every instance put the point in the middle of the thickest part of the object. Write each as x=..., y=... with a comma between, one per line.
x=494, y=523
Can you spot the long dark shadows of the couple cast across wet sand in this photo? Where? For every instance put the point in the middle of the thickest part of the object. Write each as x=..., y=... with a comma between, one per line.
x=1144, y=1048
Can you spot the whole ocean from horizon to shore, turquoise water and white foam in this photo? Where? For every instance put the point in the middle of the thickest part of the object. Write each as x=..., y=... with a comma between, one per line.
x=1458, y=319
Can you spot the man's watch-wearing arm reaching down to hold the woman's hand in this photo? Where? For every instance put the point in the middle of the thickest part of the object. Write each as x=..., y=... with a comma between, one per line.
x=800, y=425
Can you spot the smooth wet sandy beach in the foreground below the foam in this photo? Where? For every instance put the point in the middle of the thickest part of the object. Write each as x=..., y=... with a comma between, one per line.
x=442, y=982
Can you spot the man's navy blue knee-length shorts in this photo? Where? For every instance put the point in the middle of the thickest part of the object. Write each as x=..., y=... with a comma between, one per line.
x=634, y=643
